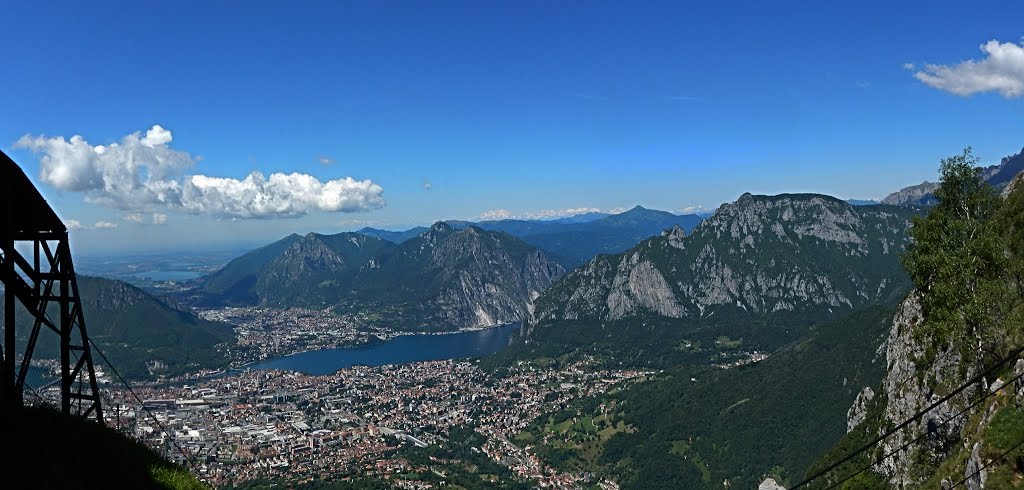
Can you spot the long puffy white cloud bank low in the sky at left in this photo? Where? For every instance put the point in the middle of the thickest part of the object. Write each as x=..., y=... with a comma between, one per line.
x=142, y=173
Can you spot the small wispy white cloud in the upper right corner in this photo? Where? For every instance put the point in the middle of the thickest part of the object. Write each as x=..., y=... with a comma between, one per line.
x=1001, y=71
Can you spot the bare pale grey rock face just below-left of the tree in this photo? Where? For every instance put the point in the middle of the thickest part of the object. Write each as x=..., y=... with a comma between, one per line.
x=910, y=389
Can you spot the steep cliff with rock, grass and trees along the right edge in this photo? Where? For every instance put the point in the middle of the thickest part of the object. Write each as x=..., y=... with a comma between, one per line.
x=958, y=402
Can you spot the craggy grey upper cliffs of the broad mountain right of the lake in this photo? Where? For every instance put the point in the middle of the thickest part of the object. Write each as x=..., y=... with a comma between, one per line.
x=756, y=256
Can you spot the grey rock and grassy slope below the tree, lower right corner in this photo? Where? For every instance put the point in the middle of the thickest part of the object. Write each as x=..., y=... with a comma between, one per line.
x=960, y=441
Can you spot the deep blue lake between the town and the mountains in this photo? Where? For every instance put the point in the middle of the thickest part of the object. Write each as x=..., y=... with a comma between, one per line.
x=400, y=350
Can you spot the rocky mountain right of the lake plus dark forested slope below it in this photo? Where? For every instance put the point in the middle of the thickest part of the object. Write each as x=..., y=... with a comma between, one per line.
x=808, y=278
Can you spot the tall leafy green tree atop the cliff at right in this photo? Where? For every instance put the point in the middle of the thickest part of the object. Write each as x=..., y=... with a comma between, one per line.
x=959, y=261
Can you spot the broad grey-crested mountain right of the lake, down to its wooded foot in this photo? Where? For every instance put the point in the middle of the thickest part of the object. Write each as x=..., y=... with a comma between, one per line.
x=760, y=268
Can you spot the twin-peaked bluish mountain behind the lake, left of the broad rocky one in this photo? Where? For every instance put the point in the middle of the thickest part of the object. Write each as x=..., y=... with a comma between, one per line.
x=441, y=280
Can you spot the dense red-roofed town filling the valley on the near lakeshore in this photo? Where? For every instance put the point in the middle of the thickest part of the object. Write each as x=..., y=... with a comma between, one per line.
x=293, y=427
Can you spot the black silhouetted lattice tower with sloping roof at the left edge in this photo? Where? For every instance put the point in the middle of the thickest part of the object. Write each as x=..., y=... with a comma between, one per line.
x=45, y=288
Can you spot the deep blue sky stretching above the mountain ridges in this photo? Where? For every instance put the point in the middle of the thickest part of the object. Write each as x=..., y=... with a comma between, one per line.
x=454, y=110
